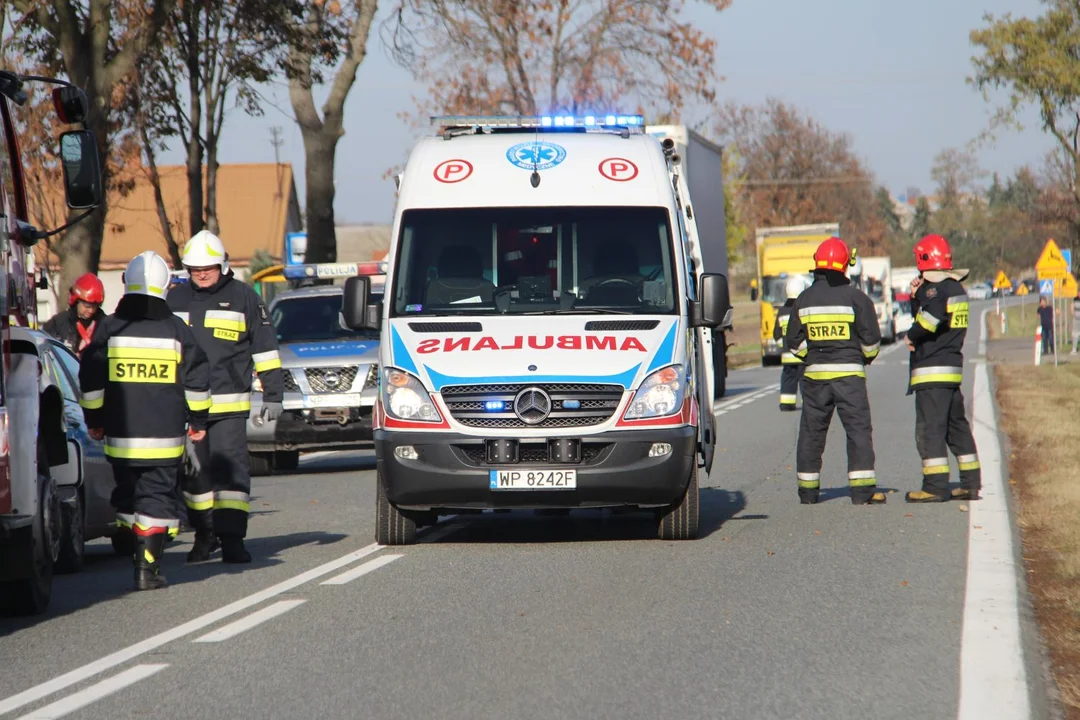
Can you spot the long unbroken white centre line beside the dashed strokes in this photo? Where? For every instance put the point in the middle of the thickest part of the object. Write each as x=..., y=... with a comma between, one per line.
x=131, y=653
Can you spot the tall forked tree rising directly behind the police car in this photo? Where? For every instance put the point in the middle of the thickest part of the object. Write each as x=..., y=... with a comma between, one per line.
x=332, y=35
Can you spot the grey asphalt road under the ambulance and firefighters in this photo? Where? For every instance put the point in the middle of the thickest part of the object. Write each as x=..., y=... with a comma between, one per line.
x=779, y=612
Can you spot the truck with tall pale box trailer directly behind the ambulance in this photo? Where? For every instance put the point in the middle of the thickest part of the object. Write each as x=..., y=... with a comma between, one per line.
x=701, y=165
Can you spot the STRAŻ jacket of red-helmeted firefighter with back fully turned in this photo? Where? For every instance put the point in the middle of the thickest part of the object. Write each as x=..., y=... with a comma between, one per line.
x=834, y=329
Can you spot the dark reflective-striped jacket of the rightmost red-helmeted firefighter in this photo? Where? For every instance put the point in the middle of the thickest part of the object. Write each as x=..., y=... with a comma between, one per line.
x=938, y=334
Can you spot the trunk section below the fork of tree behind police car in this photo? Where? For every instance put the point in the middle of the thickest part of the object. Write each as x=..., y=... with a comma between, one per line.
x=319, y=151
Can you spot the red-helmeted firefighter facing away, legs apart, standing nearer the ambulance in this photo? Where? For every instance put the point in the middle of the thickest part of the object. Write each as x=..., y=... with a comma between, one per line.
x=834, y=331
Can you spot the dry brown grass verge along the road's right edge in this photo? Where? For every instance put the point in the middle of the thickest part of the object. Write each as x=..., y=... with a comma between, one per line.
x=1041, y=413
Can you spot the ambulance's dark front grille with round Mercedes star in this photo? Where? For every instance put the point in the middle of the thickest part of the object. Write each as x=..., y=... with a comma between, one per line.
x=597, y=404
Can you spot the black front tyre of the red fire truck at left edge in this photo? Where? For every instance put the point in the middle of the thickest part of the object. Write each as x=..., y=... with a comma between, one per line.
x=31, y=596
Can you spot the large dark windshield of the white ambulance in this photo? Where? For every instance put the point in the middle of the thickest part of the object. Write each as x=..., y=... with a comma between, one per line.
x=535, y=261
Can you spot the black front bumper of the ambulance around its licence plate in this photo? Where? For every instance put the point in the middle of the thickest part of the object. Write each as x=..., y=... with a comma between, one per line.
x=616, y=470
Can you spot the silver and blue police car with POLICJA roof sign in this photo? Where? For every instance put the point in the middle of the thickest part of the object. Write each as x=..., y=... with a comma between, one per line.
x=331, y=373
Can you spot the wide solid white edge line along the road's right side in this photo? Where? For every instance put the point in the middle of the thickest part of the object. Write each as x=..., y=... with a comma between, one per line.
x=993, y=678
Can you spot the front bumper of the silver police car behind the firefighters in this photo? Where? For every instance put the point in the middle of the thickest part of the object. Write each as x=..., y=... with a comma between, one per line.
x=310, y=429
